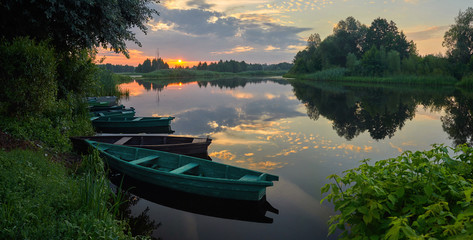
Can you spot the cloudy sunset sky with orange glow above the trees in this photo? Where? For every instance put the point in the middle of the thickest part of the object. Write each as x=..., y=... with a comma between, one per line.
x=272, y=31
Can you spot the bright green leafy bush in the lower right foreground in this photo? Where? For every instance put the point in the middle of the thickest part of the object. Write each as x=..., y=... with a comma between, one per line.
x=418, y=195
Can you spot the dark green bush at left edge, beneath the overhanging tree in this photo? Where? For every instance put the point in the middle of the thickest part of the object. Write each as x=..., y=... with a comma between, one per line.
x=27, y=76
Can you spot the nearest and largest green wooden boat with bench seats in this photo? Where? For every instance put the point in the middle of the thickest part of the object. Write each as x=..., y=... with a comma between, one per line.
x=185, y=173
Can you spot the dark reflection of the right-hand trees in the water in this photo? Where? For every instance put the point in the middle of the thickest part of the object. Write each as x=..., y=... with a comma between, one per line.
x=382, y=111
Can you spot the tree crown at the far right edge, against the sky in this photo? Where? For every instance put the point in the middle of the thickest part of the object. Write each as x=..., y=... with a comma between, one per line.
x=459, y=38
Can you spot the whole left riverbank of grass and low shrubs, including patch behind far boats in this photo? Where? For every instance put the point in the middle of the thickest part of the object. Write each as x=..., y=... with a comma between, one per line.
x=46, y=190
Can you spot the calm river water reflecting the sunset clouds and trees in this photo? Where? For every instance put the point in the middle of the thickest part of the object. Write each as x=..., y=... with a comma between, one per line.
x=301, y=133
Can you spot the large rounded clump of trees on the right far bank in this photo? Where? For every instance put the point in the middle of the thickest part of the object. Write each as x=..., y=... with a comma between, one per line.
x=378, y=47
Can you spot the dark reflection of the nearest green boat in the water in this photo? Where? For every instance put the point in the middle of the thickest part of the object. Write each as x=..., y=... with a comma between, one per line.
x=252, y=211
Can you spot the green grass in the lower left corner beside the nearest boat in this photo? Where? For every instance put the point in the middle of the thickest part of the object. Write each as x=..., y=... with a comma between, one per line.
x=40, y=199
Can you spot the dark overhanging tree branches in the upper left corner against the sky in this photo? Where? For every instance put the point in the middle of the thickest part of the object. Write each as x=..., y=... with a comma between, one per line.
x=74, y=25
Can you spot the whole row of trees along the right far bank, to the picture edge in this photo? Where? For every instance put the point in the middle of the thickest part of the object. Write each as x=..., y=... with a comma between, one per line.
x=381, y=49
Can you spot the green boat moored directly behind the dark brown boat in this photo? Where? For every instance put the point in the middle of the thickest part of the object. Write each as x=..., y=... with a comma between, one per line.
x=132, y=124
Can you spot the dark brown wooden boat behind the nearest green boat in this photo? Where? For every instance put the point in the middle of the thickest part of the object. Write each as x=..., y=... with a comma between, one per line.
x=191, y=146
